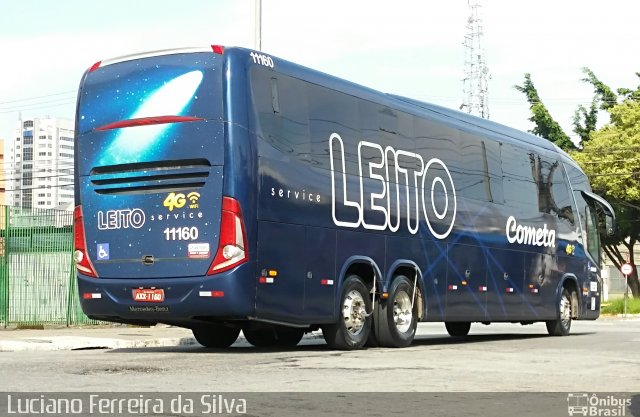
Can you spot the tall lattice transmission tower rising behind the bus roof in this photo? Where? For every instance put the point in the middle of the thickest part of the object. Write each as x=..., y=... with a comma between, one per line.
x=476, y=73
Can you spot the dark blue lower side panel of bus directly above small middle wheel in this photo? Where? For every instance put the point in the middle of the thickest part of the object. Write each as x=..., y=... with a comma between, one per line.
x=466, y=283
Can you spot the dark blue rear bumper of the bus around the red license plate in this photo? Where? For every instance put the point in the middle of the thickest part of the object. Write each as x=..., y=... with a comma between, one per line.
x=230, y=295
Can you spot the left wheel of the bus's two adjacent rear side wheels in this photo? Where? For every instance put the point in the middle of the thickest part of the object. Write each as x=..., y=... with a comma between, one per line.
x=351, y=331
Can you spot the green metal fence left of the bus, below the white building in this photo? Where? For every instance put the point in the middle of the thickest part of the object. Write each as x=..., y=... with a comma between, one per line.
x=37, y=272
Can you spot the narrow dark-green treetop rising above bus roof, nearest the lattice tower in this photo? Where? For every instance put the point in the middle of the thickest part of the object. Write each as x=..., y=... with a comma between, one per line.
x=546, y=126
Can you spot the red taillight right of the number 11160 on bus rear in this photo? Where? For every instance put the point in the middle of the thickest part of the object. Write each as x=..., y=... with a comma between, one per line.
x=232, y=246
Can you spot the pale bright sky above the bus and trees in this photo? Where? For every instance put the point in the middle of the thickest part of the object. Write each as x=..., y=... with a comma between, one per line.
x=412, y=48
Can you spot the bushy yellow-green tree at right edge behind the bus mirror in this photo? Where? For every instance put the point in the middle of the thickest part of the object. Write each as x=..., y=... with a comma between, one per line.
x=610, y=159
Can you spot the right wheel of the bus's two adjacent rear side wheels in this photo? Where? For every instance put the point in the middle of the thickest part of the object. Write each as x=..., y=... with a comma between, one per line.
x=396, y=319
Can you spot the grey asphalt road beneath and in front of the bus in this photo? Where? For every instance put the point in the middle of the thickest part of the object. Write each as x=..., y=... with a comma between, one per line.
x=599, y=356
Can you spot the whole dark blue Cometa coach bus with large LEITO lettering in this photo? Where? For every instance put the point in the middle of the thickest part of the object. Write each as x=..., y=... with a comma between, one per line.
x=226, y=190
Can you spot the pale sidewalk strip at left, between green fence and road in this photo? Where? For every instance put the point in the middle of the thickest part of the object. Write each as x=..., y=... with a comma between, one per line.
x=93, y=337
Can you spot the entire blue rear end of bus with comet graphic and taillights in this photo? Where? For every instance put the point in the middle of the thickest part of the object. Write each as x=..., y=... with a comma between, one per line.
x=156, y=238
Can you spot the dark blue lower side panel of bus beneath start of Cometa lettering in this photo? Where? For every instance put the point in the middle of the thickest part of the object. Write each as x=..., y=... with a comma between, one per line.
x=505, y=284
